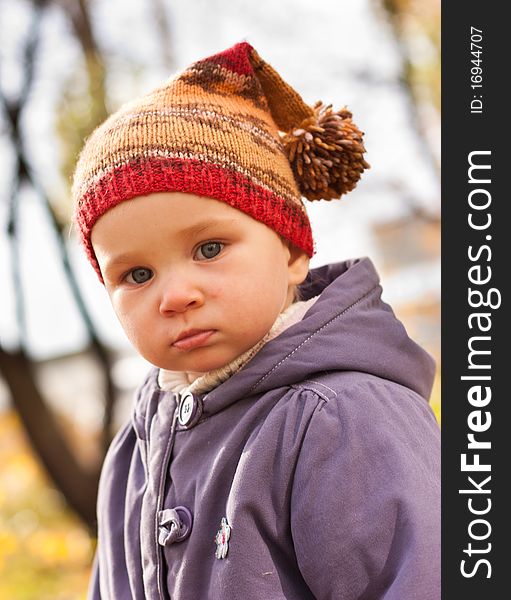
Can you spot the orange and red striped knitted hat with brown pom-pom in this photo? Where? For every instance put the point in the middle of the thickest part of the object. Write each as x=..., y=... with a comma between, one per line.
x=229, y=128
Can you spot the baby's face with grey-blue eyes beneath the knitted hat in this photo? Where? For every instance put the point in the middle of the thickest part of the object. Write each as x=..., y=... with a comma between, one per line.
x=193, y=281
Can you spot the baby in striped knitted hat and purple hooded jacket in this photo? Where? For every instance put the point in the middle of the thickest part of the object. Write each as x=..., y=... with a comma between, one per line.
x=282, y=446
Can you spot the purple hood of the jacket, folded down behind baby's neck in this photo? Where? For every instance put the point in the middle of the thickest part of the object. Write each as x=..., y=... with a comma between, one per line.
x=348, y=328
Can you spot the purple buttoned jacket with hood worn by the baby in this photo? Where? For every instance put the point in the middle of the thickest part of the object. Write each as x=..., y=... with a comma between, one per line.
x=311, y=473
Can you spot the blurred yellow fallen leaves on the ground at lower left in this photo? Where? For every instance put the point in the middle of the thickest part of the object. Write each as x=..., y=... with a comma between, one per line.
x=45, y=552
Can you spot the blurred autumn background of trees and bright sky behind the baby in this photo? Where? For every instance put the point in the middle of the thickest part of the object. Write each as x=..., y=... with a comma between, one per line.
x=67, y=373
